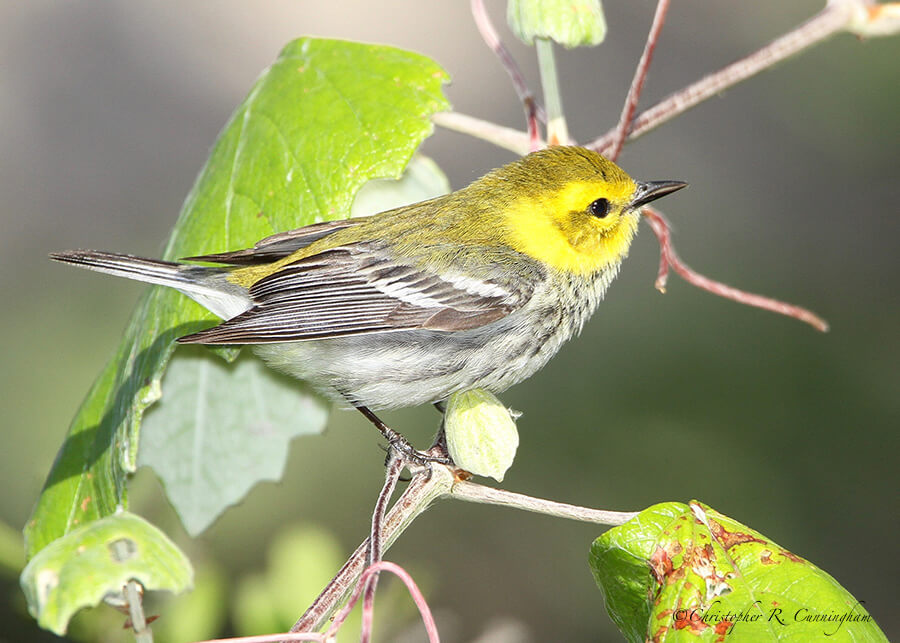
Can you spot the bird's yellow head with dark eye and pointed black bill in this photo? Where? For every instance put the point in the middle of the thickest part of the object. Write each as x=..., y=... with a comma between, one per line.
x=574, y=210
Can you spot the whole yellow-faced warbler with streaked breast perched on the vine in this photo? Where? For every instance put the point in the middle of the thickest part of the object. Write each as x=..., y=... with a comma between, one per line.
x=475, y=289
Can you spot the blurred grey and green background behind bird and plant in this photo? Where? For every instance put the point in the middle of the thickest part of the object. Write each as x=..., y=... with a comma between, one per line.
x=109, y=110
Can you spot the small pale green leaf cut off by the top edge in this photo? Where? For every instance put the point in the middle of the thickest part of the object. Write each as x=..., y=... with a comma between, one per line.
x=571, y=23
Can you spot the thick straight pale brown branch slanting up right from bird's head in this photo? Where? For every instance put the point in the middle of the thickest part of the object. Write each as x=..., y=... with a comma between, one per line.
x=833, y=18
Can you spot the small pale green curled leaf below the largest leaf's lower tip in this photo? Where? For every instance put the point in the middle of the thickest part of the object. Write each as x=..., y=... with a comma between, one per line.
x=94, y=562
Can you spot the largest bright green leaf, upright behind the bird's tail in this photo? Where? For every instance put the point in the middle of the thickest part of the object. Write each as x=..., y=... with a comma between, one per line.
x=326, y=117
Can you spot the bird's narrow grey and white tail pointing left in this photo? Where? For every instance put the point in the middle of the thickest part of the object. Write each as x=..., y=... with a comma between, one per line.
x=208, y=286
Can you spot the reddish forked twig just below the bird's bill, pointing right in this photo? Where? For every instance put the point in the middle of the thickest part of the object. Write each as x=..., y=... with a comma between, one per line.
x=668, y=257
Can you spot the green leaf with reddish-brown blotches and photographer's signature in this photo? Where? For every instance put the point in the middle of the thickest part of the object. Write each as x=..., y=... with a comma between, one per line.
x=685, y=573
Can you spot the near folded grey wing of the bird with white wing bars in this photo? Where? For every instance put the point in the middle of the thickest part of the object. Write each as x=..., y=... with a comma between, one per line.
x=359, y=289
